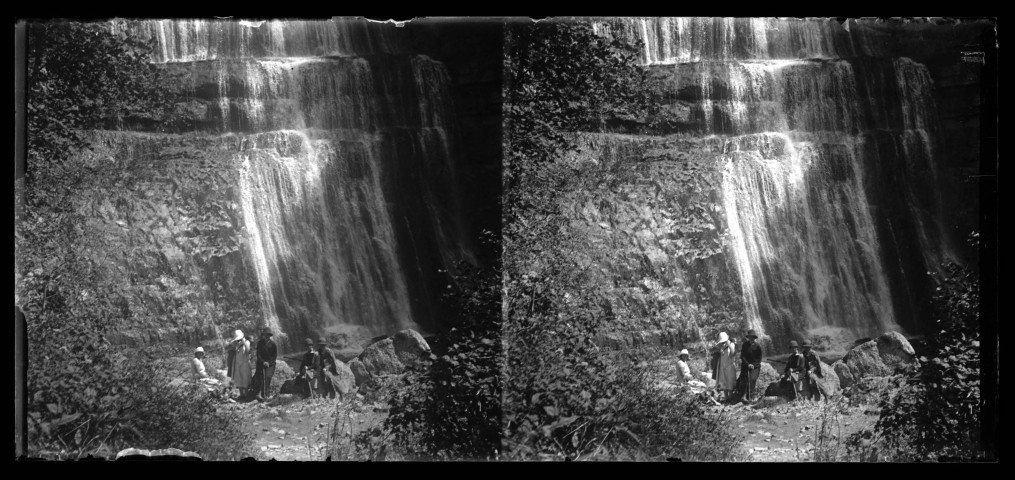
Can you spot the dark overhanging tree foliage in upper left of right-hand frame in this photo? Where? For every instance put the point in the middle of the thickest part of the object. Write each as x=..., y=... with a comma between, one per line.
x=562, y=79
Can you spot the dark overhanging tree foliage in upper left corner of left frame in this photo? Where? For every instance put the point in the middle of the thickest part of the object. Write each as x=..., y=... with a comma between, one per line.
x=81, y=77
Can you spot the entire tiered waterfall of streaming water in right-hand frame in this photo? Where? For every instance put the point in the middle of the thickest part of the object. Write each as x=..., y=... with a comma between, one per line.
x=815, y=119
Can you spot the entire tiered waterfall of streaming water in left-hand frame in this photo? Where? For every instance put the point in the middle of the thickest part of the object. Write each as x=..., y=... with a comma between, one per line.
x=347, y=147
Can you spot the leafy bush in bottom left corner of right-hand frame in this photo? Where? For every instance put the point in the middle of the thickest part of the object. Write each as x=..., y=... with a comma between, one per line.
x=567, y=398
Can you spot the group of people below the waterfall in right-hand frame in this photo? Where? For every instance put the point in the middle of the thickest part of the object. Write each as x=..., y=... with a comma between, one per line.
x=802, y=370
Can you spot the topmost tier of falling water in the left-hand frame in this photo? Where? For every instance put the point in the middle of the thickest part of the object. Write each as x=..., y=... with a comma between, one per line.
x=187, y=41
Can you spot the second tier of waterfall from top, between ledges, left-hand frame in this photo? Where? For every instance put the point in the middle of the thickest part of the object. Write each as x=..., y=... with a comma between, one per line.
x=331, y=94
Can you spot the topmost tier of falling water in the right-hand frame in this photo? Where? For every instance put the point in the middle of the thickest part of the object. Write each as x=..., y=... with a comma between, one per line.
x=678, y=40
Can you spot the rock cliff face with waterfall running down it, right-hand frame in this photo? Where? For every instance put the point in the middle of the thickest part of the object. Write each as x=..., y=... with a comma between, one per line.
x=798, y=175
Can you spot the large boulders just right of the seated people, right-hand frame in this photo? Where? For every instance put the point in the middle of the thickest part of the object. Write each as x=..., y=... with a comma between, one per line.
x=878, y=358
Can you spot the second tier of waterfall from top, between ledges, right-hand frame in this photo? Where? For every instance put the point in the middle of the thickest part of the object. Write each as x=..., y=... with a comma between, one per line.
x=810, y=96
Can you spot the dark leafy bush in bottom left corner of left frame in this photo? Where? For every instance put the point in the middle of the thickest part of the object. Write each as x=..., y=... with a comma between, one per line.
x=110, y=402
